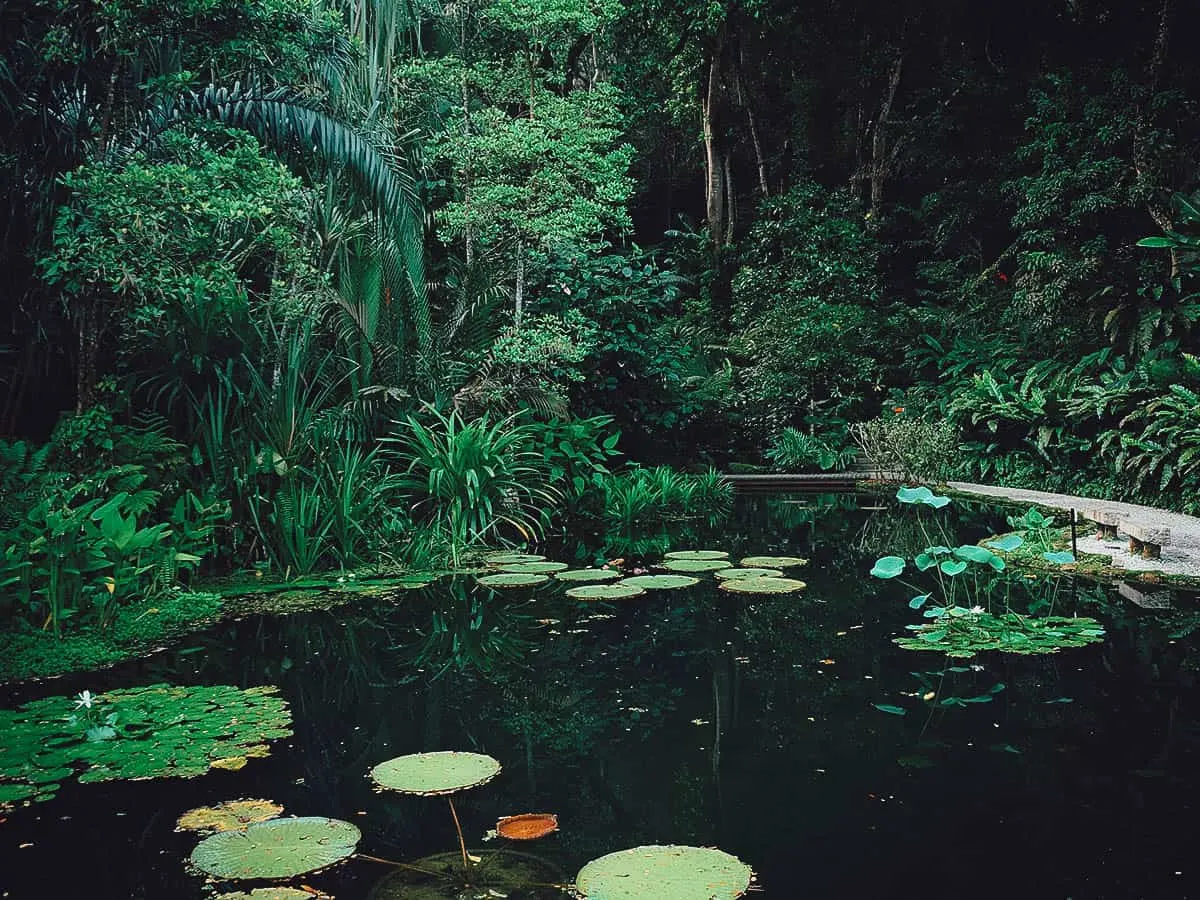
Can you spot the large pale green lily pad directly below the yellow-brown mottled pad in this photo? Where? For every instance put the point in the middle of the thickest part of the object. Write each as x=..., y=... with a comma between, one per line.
x=279, y=849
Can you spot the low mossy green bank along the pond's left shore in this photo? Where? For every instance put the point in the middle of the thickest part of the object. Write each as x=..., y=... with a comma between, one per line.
x=152, y=626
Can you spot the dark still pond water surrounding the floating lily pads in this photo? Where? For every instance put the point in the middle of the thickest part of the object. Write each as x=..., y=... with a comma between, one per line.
x=695, y=718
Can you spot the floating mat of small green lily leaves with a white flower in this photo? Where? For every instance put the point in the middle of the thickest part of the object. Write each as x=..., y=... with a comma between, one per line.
x=158, y=731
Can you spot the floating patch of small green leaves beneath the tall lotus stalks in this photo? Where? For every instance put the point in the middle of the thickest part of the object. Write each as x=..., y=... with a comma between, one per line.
x=963, y=634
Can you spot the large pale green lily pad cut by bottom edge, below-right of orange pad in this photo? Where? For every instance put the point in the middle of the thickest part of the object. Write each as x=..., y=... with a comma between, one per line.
x=671, y=873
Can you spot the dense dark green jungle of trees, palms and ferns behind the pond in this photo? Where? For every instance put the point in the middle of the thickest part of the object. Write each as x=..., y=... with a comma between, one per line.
x=257, y=251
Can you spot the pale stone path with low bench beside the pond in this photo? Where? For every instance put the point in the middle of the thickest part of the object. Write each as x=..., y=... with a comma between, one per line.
x=1180, y=557
